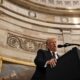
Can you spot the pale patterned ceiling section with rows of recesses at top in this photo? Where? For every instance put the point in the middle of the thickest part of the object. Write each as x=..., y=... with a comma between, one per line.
x=59, y=3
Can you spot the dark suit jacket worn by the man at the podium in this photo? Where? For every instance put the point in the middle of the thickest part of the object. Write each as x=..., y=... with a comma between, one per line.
x=40, y=60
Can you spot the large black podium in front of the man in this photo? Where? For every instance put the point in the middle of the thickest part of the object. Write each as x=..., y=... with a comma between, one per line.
x=67, y=68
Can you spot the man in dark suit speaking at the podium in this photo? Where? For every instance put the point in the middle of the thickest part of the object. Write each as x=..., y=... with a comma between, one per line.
x=45, y=58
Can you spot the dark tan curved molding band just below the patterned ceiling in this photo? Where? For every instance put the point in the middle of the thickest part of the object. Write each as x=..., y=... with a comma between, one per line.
x=43, y=8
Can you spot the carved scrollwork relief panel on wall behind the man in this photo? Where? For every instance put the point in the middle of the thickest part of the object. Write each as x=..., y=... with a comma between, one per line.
x=24, y=43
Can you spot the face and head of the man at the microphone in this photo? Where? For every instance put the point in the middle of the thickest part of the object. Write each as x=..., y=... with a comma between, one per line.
x=51, y=44
